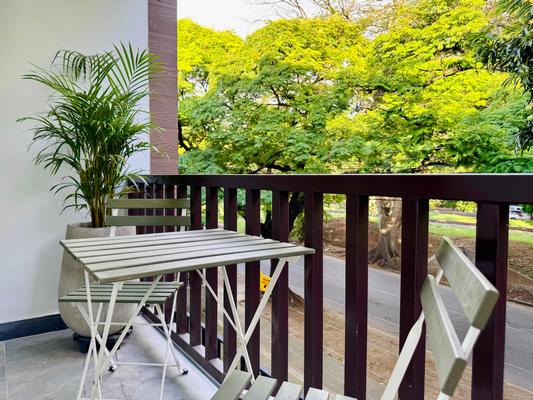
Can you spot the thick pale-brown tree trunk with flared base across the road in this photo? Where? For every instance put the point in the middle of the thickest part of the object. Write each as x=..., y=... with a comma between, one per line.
x=386, y=252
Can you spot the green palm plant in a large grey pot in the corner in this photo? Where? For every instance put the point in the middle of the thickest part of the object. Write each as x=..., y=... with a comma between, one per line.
x=94, y=123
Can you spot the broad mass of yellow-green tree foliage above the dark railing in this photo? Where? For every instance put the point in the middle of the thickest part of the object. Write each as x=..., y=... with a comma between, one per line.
x=319, y=95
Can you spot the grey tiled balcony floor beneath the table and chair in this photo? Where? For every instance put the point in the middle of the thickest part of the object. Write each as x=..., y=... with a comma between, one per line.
x=49, y=367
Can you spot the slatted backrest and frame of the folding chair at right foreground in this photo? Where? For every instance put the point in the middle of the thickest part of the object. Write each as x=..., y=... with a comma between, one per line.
x=477, y=297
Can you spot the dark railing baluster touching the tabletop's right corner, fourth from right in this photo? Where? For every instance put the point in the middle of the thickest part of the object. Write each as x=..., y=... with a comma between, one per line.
x=313, y=292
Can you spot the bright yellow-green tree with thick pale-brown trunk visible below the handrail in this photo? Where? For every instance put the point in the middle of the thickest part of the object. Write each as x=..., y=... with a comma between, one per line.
x=428, y=92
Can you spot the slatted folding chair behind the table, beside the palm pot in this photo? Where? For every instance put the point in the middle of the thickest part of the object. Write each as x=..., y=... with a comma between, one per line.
x=132, y=292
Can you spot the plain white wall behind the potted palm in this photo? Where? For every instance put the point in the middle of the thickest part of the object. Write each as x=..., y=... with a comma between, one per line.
x=31, y=31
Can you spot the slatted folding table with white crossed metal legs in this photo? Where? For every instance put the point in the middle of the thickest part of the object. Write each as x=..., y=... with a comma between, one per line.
x=116, y=260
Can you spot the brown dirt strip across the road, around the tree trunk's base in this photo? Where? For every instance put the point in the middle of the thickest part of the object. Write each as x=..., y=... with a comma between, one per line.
x=520, y=277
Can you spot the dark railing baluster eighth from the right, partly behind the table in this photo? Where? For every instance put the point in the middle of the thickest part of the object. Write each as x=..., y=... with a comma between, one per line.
x=211, y=315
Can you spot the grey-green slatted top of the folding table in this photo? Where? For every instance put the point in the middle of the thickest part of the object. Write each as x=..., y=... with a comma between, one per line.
x=121, y=258
